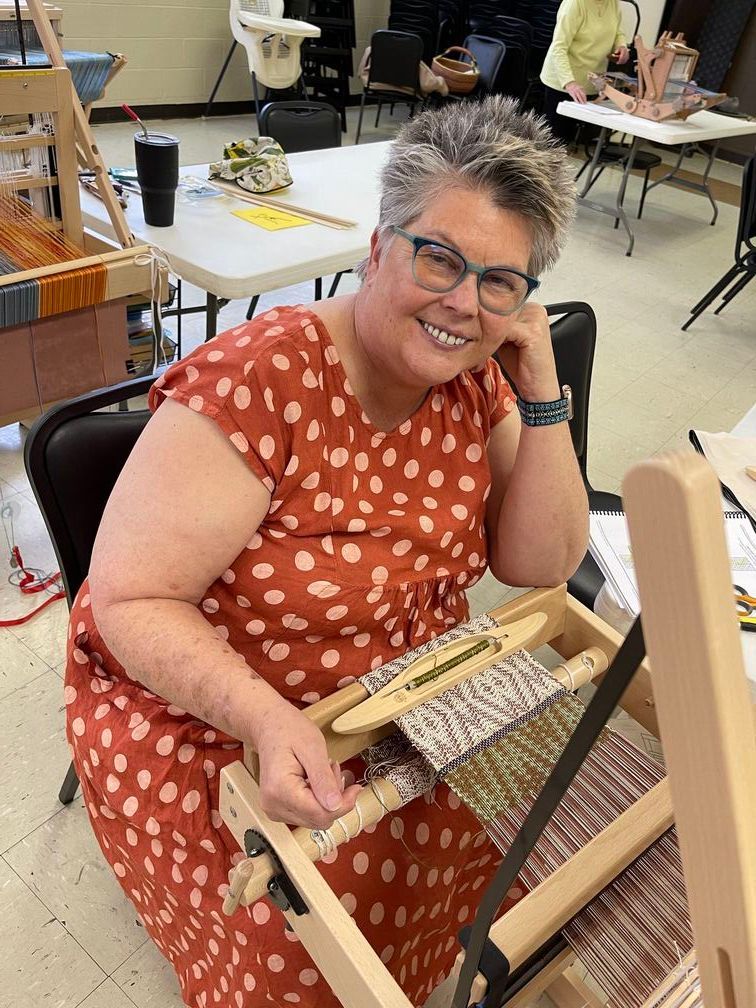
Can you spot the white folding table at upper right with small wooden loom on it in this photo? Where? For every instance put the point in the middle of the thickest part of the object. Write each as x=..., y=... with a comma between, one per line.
x=696, y=130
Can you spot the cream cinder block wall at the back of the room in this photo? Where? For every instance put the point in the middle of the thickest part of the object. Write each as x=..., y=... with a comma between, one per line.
x=176, y=51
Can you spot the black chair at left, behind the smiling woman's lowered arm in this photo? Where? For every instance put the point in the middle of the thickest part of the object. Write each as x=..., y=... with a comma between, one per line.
x=74, y=456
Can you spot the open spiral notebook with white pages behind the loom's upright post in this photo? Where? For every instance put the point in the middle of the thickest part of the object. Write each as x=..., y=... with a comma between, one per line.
x=609, y=545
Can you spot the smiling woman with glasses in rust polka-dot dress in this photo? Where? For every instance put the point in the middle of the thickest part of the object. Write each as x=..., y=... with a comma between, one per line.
x=335, y=477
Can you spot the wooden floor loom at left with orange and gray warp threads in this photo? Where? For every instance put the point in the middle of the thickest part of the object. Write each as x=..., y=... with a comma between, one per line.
x=63, y=292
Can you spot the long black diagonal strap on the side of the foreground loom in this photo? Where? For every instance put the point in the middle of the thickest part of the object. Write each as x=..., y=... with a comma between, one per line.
x=596, y=716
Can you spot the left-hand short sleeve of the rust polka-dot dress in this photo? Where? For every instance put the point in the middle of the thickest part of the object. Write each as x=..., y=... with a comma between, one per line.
x=236, y=381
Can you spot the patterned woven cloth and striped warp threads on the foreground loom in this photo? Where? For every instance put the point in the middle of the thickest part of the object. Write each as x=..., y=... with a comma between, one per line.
x=494, y=740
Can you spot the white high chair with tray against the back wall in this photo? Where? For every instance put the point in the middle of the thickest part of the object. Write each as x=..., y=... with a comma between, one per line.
x=273, y=43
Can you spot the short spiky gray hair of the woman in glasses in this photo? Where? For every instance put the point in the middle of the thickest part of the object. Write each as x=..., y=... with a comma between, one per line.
x=487, y=147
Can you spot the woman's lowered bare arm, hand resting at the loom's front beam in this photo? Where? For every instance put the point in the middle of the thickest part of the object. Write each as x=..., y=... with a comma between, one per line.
x=183, y=510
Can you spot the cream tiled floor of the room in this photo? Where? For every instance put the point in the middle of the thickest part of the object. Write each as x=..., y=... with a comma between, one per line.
x=69, y=939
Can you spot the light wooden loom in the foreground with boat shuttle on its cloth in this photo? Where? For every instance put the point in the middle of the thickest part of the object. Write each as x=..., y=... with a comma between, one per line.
x=649, y=880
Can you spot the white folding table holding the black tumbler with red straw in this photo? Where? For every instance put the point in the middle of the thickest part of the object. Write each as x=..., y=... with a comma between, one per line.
x=229, y=259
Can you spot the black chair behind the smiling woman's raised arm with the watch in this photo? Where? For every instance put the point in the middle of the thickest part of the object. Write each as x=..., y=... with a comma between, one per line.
x=574, y=342
